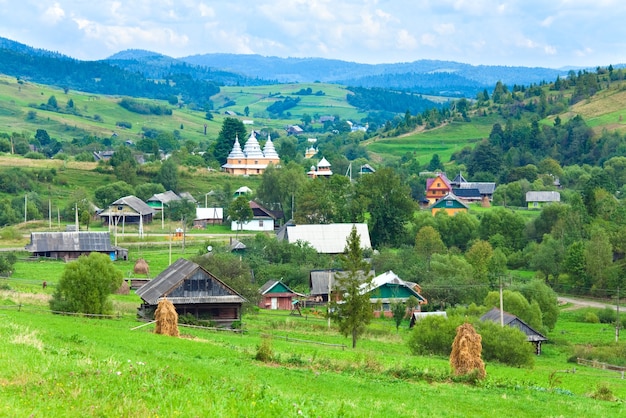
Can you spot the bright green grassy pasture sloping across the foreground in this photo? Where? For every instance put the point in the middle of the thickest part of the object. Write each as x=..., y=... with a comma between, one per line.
x=72, y=366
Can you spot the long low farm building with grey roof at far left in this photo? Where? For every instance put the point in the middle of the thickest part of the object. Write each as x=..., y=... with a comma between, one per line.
x=71, y=245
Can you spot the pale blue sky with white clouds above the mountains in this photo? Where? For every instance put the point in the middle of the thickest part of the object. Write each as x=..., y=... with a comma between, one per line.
x=531, y=33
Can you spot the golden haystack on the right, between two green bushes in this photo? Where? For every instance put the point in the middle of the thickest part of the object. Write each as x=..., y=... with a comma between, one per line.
x=466, y=352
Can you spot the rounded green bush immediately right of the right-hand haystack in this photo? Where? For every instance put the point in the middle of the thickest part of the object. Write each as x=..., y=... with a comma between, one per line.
x=507, y=345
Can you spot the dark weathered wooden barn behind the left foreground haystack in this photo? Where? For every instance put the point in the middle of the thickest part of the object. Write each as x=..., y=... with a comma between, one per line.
x=193, y=290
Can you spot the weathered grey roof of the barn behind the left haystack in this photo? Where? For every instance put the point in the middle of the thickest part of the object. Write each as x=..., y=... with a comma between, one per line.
x=174, y=276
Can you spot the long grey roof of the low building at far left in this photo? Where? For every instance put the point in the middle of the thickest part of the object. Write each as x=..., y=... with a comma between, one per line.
x=69, y=241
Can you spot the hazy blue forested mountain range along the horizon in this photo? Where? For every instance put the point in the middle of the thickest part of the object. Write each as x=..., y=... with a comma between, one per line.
x=440, y=78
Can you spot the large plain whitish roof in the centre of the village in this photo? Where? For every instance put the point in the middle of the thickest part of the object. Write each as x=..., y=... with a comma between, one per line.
x=325, y=238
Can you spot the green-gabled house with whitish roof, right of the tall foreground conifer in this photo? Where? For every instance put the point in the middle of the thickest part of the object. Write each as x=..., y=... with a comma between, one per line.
x=387, y=289
